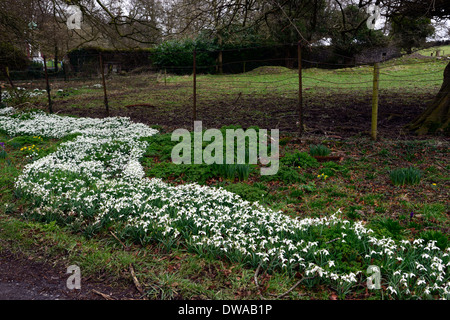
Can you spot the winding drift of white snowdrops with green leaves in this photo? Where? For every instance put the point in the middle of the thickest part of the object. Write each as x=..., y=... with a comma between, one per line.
x=95, y=180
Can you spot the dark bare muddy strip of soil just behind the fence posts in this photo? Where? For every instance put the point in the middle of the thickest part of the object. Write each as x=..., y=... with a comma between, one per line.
x=337, y=114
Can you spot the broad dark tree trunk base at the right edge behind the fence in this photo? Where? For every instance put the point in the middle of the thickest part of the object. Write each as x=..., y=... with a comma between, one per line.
x=436, y=118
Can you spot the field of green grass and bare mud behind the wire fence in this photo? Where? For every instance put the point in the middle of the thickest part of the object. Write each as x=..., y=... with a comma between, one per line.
x=336, y=102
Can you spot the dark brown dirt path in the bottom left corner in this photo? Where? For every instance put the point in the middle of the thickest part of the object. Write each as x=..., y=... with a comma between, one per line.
x=22, y=278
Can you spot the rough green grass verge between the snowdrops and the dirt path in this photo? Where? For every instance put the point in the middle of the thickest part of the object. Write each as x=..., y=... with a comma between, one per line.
x=163, y=275
